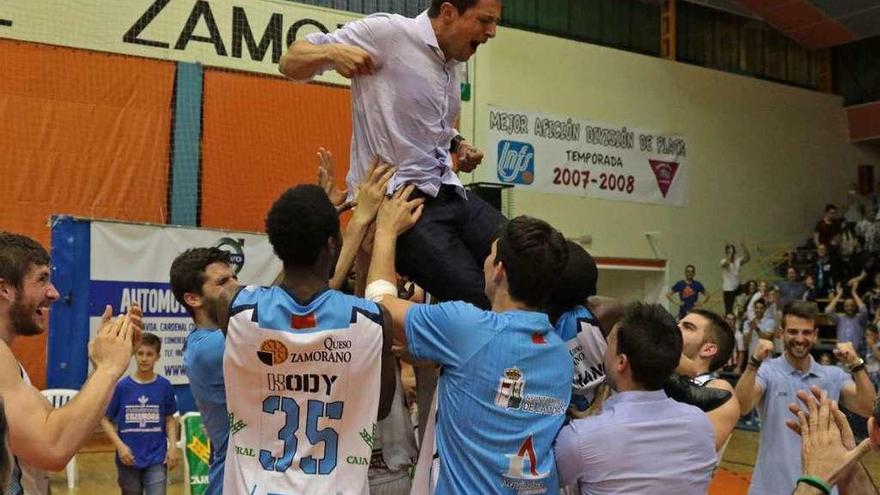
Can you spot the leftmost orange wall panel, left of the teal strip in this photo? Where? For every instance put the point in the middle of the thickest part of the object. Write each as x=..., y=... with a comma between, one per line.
x=82, y=133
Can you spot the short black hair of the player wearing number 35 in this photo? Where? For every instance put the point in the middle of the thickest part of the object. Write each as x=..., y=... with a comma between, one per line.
x=299, y=224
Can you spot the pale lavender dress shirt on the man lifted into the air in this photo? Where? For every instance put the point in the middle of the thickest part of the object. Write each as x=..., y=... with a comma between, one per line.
x=405, y=111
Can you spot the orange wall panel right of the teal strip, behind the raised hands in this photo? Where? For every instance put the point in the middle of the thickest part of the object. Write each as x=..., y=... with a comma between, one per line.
x=260, y=137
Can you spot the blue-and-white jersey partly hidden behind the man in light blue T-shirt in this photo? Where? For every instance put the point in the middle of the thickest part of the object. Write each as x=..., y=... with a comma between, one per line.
x=580, y=330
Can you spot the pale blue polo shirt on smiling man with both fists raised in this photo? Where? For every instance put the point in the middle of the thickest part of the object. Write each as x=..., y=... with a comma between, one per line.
x=779, y=455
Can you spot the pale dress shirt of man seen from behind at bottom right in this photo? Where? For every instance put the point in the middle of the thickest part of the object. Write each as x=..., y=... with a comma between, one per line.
x=641, y=443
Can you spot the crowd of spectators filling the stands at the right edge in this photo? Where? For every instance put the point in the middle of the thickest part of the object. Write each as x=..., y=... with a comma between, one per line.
x=836, y=268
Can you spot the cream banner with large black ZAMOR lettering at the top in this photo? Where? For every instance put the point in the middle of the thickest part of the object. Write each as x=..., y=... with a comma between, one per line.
x=248, y=36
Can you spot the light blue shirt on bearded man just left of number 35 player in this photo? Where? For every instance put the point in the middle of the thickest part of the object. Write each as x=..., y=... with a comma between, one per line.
x=203, y=360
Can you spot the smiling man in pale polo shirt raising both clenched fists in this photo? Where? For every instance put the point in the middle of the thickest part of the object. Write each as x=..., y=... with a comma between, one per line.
x=773, y=385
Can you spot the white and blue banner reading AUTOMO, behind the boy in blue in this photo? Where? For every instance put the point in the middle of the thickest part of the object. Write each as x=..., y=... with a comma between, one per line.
x=130, y=263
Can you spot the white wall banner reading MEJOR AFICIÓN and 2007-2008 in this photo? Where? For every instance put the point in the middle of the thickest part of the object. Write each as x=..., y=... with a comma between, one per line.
x=568, y=155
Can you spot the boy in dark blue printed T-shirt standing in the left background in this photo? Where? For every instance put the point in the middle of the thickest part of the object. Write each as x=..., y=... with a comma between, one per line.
x=140, y=422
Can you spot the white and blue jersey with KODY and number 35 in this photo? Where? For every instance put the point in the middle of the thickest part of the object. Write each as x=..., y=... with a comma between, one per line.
x=302, y=389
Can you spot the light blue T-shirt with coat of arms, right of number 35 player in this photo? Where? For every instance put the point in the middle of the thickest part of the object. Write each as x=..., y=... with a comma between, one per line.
x=502, y=396
